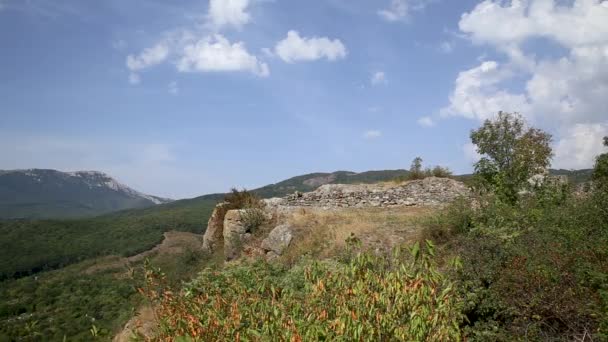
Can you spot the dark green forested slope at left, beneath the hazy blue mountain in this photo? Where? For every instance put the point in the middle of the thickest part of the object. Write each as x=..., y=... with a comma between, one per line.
x=52, y=244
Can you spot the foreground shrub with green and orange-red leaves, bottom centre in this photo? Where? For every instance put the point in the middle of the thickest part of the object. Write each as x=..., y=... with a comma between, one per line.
x=368, y=297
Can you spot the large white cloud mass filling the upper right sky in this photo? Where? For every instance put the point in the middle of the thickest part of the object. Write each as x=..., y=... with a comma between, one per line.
x=565, y=94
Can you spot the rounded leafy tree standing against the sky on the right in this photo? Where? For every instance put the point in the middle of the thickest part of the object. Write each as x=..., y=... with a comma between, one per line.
x=511, y=153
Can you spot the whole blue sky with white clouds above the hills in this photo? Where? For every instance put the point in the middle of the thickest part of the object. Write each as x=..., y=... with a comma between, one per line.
x=183, y=98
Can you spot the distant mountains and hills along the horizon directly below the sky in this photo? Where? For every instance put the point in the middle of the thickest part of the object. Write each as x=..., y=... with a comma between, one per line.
x=43, y=194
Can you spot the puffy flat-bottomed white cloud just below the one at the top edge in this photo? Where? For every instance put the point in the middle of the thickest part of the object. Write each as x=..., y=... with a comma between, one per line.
x=215, y=53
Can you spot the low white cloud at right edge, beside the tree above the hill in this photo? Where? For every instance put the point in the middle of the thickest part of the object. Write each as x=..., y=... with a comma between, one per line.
x=580, y=145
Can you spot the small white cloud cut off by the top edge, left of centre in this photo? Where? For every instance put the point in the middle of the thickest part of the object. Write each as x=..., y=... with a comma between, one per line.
x=228, y=13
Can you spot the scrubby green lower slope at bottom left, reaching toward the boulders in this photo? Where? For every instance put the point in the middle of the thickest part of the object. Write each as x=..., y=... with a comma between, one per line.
x=100, y=293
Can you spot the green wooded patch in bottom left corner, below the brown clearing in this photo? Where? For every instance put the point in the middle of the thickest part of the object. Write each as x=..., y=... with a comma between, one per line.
x=54, y=305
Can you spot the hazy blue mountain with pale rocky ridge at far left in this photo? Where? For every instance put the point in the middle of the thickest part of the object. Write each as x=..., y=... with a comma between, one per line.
x=36, y=193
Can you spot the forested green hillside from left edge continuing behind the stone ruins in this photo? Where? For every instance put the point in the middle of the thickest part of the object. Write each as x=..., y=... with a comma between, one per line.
x=52, y=244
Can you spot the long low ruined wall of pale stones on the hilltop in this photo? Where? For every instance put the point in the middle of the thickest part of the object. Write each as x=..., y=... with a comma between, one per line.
x=430, y=191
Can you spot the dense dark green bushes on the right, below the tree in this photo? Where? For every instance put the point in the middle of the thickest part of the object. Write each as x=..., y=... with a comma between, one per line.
x=536, y=269
